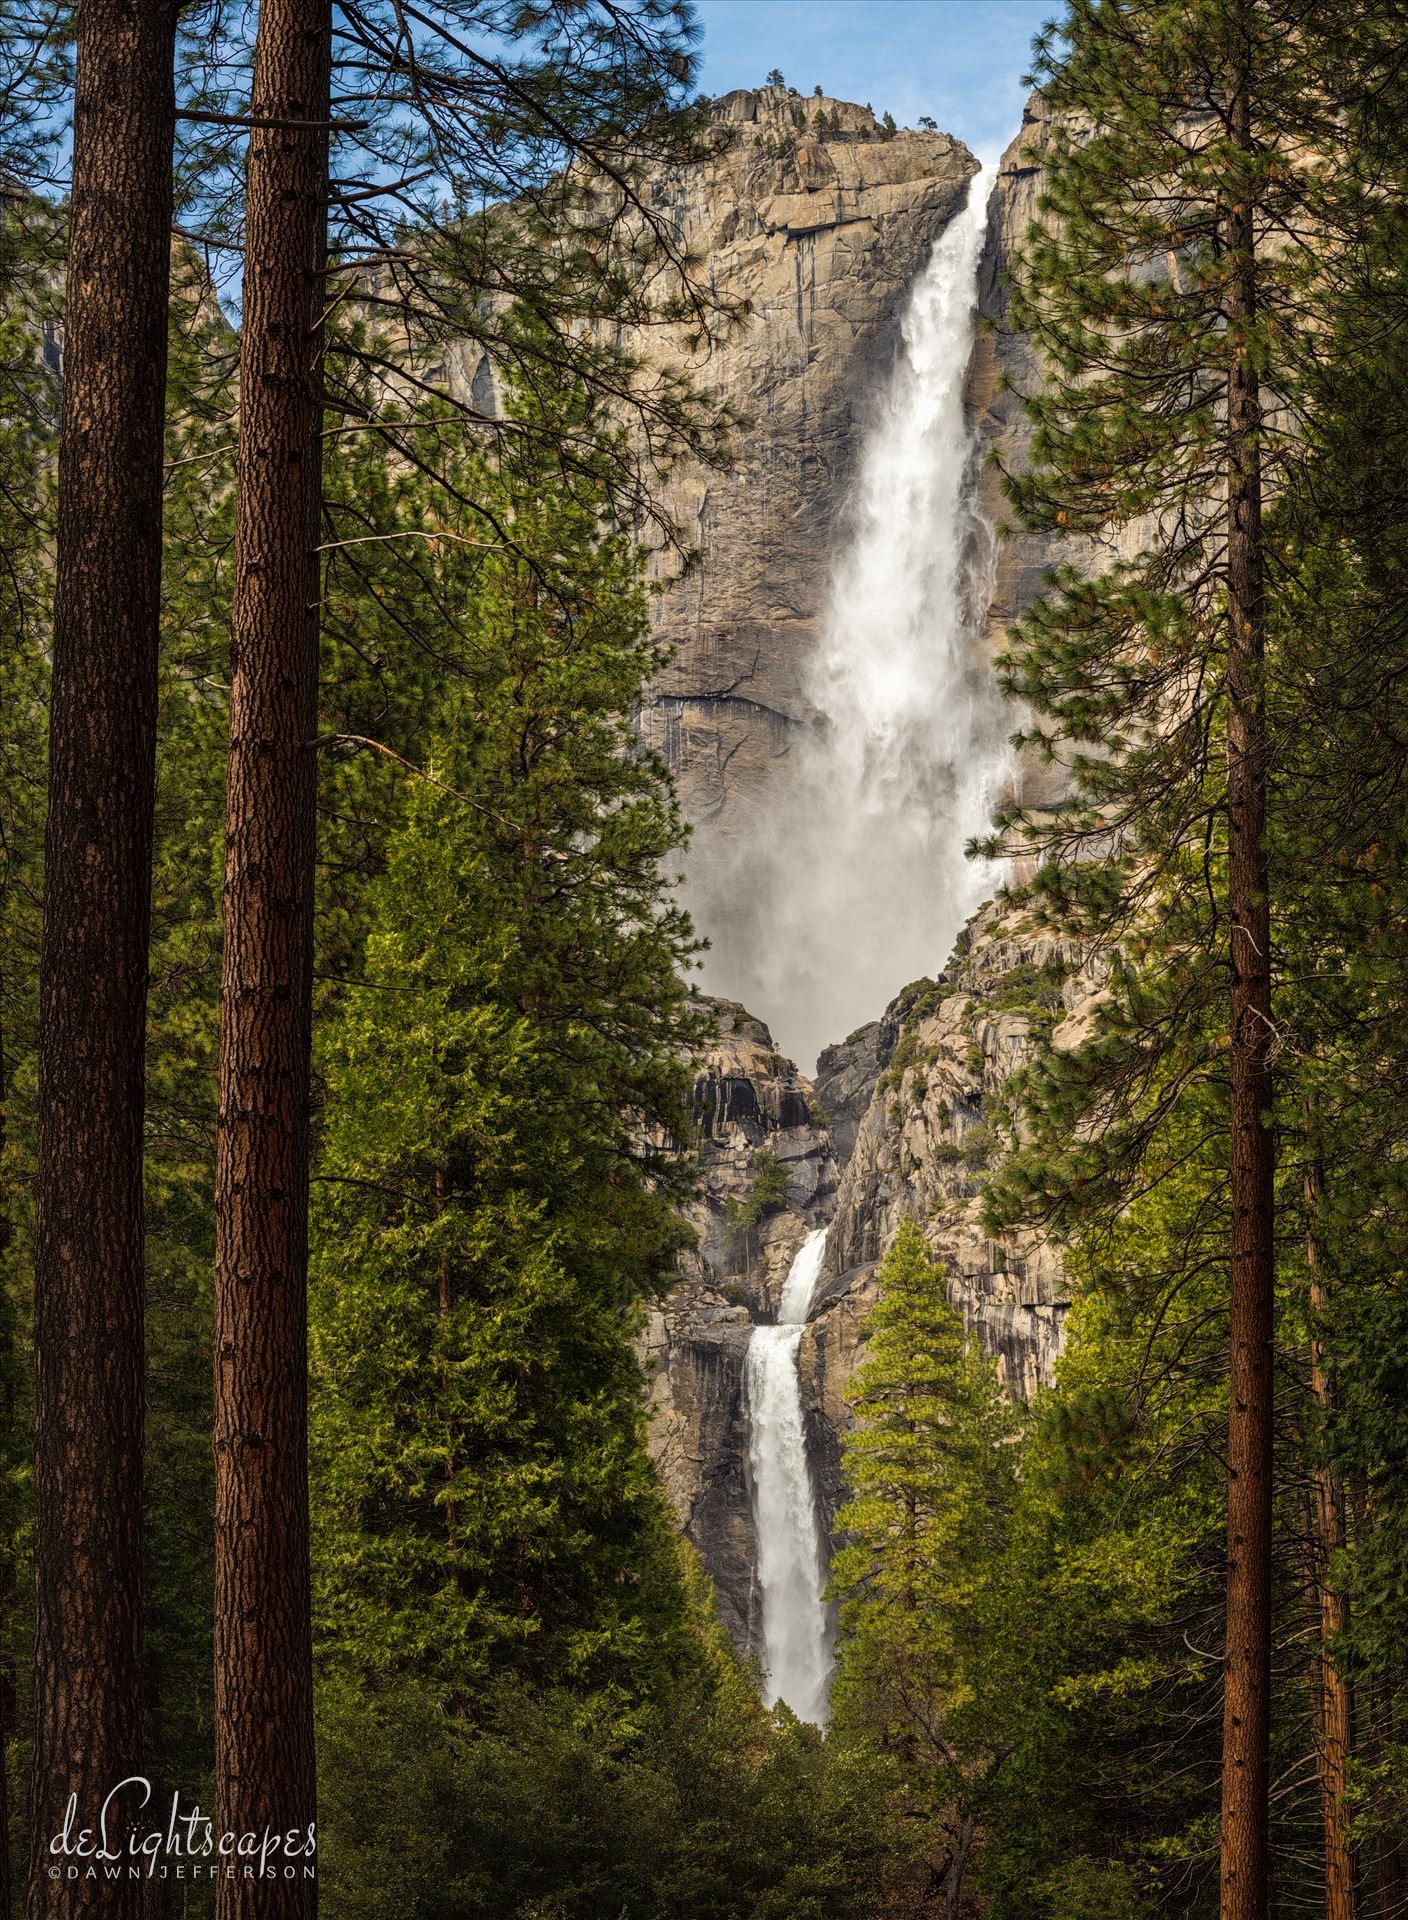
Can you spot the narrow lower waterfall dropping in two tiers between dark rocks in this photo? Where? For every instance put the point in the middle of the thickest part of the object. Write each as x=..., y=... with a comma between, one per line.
x=790, y=1556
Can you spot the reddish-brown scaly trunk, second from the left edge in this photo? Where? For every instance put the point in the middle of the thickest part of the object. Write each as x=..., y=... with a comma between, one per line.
x=264, y=1675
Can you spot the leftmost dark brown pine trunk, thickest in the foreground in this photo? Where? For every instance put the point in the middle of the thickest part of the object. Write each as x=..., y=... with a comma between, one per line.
x=89, y=1287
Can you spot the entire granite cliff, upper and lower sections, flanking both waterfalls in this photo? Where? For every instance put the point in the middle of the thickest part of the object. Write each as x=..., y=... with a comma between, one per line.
x=821, y=231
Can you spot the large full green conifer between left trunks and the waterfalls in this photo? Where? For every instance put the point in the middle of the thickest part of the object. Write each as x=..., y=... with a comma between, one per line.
x=491, y=1199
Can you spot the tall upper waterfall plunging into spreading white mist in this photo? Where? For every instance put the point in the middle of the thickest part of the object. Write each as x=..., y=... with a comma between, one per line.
x=854, y=880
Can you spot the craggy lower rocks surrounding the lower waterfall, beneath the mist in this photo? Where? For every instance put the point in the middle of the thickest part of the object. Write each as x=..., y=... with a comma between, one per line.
x=927, y=1082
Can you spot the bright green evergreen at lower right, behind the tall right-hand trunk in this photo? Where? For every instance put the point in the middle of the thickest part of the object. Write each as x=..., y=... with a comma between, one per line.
x=1109, y=1694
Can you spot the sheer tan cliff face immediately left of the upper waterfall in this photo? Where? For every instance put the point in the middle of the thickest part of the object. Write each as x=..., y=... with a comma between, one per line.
x=819, y=220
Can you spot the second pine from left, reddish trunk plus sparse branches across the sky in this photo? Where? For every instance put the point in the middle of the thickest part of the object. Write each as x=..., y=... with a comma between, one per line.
x=460, y=108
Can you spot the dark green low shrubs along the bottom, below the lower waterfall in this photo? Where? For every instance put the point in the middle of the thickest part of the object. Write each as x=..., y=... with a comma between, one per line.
x=541, y=1815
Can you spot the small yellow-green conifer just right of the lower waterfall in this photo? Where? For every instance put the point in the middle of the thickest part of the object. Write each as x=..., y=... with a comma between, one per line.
x=931, y=1479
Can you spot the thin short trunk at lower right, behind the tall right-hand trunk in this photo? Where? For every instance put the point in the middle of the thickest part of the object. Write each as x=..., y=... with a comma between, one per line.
x=1336, y=1712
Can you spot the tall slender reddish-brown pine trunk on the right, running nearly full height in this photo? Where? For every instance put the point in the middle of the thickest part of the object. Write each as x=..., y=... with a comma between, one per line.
x=1248, y=1673
